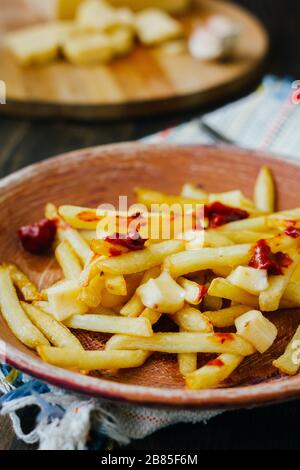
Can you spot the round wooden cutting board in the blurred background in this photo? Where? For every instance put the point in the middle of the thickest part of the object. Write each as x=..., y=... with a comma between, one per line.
x=144, y=83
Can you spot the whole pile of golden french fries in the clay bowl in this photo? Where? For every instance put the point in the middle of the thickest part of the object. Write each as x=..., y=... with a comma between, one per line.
x=202, y=281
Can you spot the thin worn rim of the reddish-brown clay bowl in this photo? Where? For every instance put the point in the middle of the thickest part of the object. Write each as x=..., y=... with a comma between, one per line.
x=282, y=389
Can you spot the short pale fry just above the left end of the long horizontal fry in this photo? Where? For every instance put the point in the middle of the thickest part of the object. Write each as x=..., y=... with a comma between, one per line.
x=110, y=324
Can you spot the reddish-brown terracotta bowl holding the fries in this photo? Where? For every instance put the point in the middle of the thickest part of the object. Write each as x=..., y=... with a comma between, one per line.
x=100, y=175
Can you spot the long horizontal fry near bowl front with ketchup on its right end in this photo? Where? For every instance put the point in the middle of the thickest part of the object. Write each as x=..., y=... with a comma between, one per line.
x=184, y=343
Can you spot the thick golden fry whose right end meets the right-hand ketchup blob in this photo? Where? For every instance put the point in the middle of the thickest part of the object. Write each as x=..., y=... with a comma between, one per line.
x=186, y=262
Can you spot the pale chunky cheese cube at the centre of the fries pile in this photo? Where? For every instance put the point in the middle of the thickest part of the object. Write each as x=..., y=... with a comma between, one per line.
x=162, y=294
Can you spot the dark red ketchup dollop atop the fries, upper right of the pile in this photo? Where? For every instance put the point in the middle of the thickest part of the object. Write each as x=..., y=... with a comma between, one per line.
x=219, y=214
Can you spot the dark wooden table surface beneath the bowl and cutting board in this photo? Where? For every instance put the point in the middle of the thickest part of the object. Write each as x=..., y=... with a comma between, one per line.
x=23, y=142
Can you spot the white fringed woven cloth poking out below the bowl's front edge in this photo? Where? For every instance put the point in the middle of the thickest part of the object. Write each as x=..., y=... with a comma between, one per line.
x=120, y=422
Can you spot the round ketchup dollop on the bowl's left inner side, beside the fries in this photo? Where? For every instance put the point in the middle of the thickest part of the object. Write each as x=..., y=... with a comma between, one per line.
x=38, y=237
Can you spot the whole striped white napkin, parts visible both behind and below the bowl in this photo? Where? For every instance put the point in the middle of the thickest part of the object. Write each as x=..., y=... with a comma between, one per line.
x=266, y=120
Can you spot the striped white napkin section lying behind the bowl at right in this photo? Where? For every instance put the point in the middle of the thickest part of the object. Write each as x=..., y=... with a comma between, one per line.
x=267, y=120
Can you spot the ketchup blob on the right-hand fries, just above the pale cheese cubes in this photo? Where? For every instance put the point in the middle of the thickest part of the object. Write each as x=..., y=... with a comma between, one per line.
x=263, y=258
